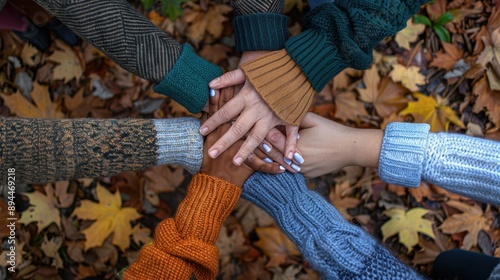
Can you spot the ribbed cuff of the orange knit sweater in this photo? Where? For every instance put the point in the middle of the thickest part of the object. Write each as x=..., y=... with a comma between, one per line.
x=208, y=203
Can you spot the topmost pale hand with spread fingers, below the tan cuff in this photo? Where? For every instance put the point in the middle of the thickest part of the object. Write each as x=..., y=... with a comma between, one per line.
x=254, y=116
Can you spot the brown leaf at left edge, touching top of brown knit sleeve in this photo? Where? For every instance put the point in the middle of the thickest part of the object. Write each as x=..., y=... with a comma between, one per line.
x=43, y=107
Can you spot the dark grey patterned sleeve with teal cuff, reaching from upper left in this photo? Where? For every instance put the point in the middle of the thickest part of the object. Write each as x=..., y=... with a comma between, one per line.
x=132, y=41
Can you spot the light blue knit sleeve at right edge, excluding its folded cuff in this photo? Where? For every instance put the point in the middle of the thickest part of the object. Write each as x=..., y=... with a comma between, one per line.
x=462, y=164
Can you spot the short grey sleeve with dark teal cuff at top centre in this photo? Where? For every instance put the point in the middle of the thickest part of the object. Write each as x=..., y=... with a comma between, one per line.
x=259, y=25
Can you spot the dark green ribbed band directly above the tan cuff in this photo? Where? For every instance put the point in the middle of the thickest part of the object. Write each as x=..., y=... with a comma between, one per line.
x=319, y=59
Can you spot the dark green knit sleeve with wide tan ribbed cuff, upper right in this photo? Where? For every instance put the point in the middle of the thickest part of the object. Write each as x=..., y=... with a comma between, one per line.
x=336, y=35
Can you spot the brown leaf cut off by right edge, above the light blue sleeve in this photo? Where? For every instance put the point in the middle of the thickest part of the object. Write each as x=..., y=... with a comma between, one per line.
x=488, y=100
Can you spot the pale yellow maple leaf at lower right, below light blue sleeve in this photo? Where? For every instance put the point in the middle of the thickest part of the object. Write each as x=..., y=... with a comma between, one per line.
x=407, y=225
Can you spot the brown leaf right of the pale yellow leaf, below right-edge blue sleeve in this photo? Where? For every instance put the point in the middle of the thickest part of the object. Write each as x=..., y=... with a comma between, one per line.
x=472, y=220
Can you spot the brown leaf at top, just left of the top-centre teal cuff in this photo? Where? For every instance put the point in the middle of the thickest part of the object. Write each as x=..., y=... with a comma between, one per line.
x=203, y=22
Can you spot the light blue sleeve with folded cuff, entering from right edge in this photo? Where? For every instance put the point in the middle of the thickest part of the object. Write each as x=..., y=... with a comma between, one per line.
x=462, y=164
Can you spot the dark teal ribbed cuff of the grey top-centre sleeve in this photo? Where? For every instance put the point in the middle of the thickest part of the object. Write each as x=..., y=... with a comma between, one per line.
x=257, y=32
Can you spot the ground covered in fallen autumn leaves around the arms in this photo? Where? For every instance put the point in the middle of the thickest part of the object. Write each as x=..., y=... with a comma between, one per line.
x=443, y=69
